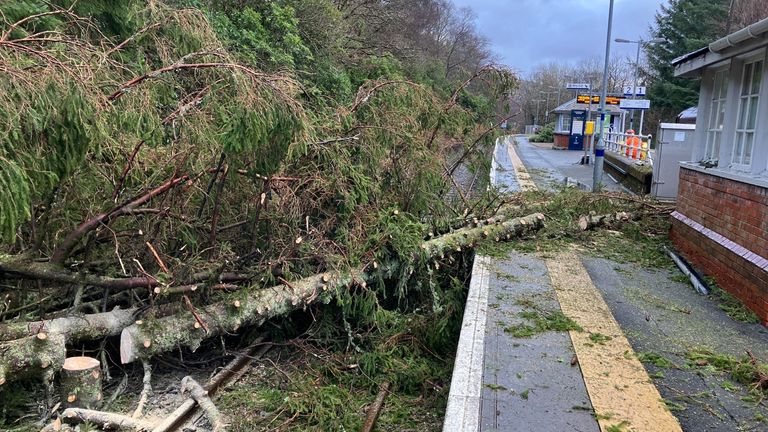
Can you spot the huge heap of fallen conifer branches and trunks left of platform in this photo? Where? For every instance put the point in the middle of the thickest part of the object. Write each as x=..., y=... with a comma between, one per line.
x=158, y=190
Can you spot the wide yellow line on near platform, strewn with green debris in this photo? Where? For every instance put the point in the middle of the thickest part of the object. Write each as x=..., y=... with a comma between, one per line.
x=616, y=381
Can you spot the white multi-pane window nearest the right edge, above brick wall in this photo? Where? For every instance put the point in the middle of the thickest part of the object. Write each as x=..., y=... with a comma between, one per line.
x=745, y=102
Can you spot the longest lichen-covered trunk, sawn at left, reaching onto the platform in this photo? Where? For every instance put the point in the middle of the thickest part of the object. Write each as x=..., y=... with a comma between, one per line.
x=141, y=341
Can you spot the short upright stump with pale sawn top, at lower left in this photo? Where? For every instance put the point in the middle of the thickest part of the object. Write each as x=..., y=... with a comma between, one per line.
x=81, y=382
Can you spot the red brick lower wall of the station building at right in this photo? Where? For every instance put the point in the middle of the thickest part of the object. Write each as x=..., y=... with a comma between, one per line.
x=732, y=245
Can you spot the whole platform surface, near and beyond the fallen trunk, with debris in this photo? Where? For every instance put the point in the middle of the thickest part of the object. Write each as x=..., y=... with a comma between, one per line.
x=538, y=383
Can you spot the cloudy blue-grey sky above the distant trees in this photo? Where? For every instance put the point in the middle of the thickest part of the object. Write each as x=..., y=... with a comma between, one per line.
x=526, y=33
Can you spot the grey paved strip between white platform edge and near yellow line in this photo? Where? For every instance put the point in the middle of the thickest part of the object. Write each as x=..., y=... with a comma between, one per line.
x=528, y=383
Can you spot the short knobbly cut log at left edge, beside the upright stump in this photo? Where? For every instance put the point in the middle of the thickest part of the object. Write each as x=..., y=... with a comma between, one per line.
x=38, y=355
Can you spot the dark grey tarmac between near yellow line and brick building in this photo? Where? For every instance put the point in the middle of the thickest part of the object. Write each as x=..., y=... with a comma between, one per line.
x=663, y=317
